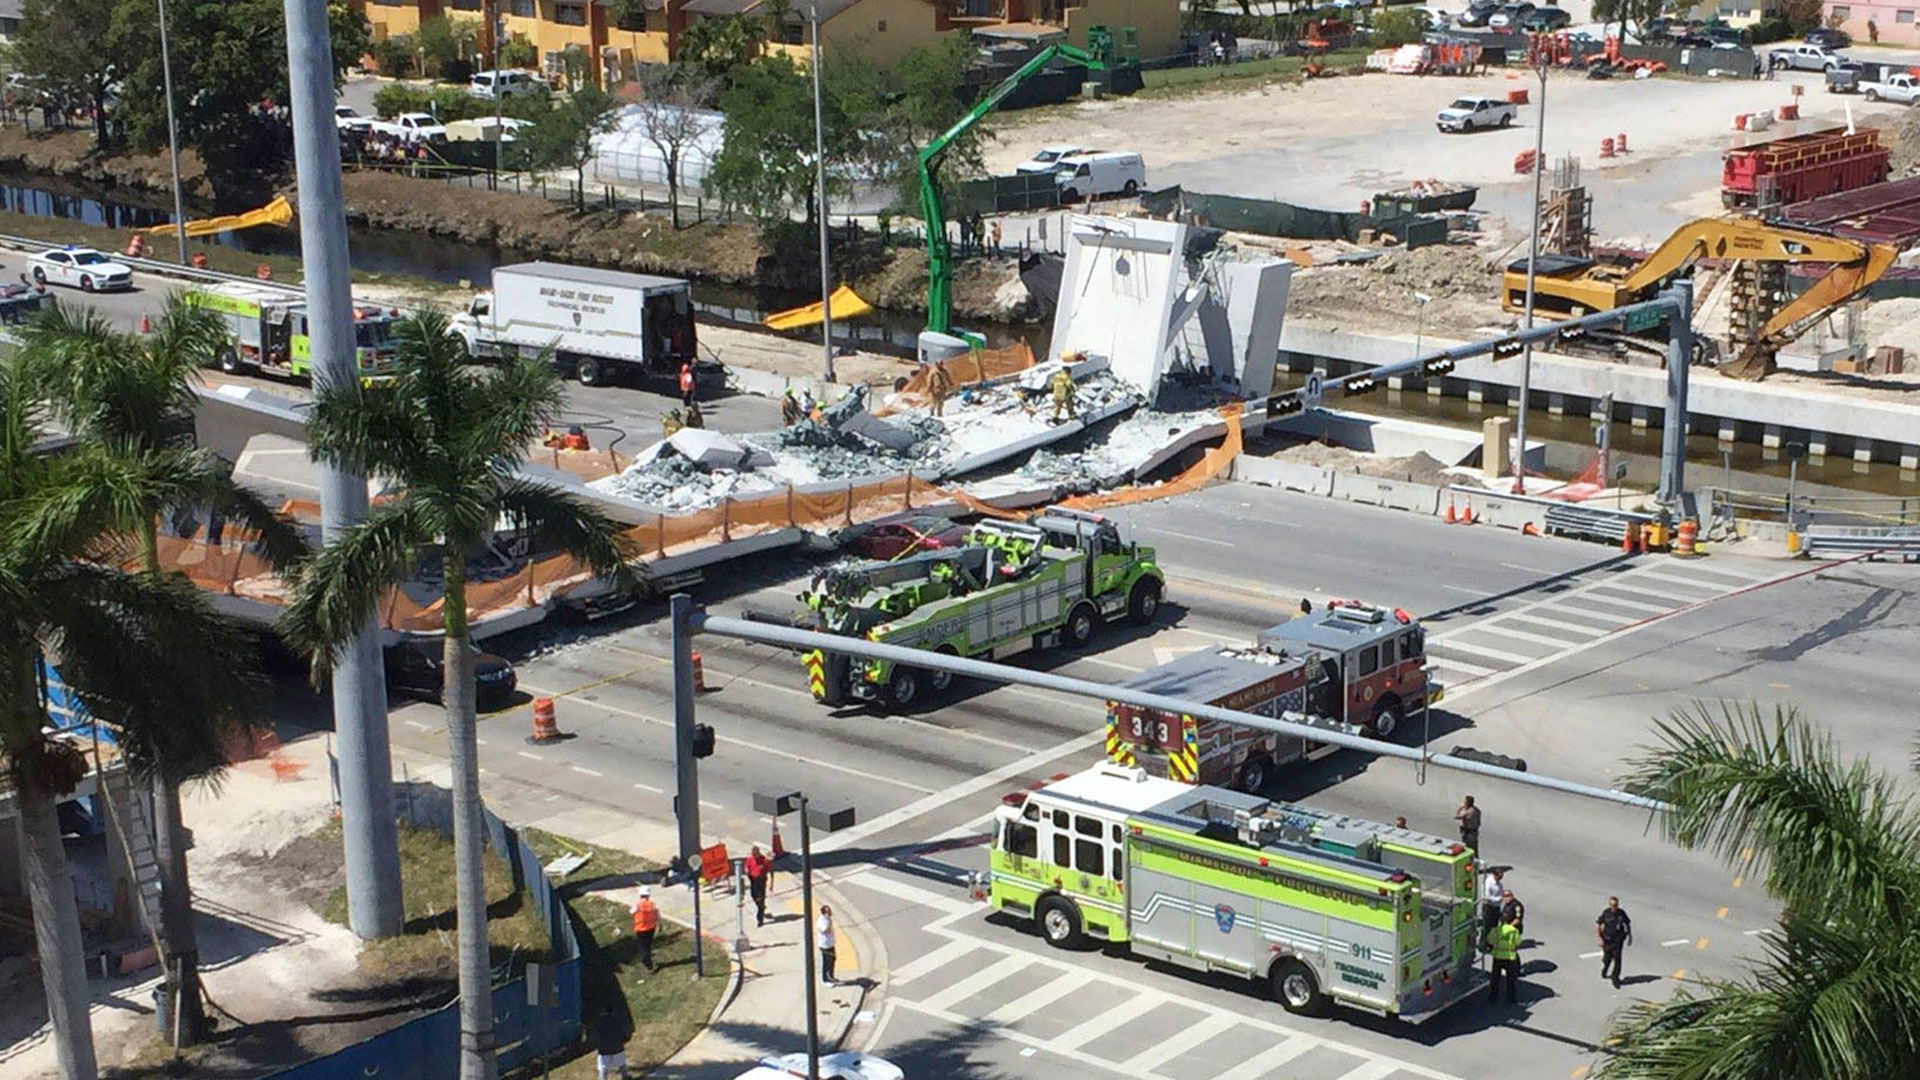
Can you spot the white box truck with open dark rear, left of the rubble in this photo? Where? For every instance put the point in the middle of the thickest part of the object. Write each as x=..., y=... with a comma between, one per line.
x=602, y=326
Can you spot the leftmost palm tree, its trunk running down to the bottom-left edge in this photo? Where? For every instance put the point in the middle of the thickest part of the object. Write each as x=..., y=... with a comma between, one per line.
x=132, y=647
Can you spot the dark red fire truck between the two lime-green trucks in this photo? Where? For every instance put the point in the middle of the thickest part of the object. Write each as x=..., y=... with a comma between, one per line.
x=1347, y=668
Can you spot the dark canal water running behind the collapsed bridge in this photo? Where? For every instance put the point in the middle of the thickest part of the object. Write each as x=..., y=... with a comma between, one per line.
x=1570, y=439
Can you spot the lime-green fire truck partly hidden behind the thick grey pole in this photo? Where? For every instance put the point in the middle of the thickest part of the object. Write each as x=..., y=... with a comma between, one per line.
x=270, y=331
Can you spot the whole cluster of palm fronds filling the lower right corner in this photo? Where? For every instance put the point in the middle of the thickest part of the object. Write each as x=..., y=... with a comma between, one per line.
x=1838, y=991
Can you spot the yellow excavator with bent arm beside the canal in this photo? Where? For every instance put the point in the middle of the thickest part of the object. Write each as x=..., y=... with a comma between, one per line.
x=1572, y=287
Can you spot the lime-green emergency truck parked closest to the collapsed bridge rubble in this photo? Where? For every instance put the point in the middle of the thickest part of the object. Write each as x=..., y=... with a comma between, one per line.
x=1007, y=589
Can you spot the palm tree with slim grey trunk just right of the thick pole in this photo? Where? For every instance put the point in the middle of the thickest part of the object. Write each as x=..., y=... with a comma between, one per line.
x=450, y=439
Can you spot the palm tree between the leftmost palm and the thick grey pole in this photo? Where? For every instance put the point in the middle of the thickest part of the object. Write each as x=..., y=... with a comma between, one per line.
x=133, y=397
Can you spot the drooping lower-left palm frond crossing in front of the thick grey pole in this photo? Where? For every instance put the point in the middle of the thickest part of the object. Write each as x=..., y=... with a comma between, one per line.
x=335, y=591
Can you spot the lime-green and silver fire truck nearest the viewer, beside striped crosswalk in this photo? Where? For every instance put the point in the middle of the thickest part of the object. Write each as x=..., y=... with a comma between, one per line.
x=1320, y=908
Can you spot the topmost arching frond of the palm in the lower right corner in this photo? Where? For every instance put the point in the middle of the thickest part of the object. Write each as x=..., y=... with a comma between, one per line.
x=1775, y=793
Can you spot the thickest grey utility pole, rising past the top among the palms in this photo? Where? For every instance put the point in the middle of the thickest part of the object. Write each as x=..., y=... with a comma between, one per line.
x=370, y=835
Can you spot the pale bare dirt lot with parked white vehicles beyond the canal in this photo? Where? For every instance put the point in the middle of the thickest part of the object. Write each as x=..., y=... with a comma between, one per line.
x=1332, y=143
